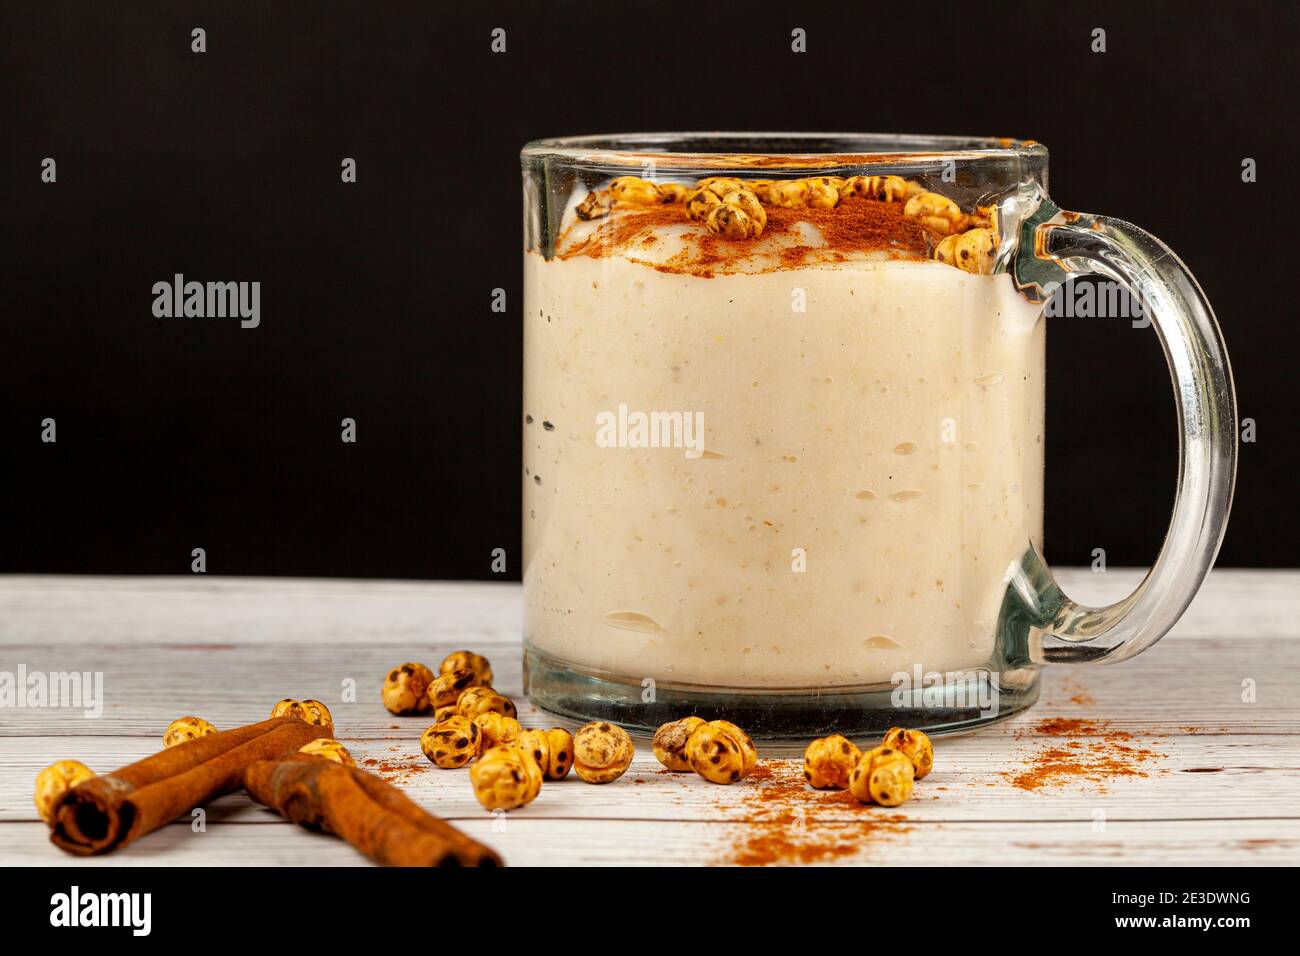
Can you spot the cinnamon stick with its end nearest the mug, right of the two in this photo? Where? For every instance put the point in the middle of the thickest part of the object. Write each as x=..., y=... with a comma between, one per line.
x=371, y=815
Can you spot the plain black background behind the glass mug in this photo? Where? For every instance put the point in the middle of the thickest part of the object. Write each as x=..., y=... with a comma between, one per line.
x=181, y=434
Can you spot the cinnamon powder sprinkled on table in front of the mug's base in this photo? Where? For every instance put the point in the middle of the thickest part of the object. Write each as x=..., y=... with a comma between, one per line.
x=782, y=825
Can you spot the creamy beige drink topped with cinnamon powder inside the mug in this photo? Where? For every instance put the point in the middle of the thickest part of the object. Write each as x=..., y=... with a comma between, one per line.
x=844, y=449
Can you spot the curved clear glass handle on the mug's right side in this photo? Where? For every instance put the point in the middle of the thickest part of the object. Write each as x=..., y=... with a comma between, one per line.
x=1056, y=246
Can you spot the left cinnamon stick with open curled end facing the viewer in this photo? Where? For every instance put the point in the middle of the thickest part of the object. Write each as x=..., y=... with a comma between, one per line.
x=110, y=812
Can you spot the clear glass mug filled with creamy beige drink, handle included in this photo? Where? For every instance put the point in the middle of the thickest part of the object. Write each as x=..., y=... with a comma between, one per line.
x=783, y=430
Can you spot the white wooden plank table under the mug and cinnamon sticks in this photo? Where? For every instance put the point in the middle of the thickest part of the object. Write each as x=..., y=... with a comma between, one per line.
x=1221, y=777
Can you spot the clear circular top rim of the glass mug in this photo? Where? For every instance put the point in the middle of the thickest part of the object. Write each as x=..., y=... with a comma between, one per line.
x=734, y=150
